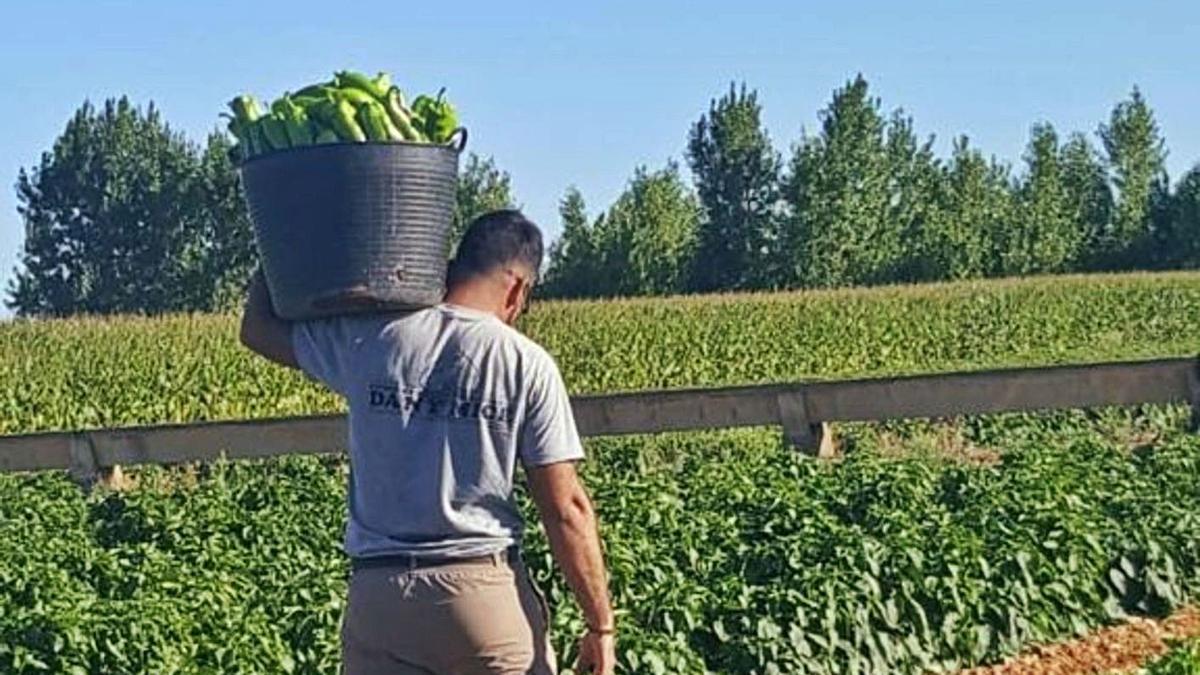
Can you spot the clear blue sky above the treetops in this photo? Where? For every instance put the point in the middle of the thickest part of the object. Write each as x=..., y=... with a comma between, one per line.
x=580, y=94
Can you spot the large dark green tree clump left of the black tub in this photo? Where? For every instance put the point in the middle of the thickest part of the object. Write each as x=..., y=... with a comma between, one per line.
x=125, y=216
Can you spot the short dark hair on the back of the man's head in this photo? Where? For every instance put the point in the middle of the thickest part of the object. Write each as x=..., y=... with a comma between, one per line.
x=494, y=241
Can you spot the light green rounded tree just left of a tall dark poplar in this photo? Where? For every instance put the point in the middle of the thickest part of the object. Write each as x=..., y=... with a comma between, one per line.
x=647, y=238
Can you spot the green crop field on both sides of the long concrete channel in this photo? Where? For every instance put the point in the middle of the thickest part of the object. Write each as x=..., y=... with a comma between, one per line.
x=928, y=547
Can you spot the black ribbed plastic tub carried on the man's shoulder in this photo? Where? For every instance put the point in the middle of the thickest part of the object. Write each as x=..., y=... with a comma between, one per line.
x=355, y=228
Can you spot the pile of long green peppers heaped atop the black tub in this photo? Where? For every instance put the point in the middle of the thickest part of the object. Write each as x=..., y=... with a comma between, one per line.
x=350, y=109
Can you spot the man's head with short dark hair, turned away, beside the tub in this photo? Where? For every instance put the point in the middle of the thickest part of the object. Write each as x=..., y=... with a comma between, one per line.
x=496, y=266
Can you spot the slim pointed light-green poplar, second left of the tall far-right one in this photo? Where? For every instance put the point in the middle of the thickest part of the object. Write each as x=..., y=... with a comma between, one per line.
x=1045, y=237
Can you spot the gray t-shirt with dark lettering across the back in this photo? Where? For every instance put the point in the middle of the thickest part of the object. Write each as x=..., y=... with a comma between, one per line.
x=443, y=403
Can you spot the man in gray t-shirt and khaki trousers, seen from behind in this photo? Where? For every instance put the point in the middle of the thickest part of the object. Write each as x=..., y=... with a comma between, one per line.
x=443, y=404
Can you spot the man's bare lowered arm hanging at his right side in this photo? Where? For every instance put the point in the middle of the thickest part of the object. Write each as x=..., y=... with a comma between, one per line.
x=574, y=539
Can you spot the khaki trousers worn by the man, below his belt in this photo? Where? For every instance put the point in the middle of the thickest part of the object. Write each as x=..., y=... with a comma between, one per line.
x=481, y=618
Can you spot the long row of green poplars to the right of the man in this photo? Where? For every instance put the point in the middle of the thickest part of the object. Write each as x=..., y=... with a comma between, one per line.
x=866, y=201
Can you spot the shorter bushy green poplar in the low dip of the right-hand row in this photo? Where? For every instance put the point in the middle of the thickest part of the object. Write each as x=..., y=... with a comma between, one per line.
x=976, y=205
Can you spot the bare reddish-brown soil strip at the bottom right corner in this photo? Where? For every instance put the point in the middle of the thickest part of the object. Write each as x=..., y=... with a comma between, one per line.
x=1114, y=650
